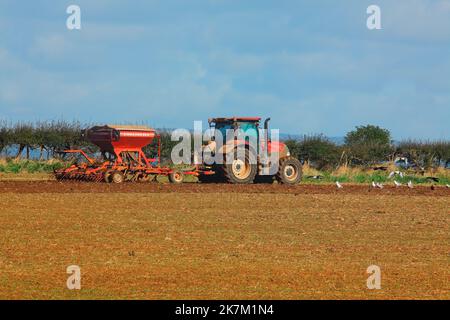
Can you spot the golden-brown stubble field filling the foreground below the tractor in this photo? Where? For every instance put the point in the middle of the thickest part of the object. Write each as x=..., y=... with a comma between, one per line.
x=222, y=242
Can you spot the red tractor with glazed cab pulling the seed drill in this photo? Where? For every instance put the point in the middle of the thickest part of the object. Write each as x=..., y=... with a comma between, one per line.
x=252, y=166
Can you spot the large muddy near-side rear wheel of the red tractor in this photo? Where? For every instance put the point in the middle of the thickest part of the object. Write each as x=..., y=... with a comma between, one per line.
x=241, y=171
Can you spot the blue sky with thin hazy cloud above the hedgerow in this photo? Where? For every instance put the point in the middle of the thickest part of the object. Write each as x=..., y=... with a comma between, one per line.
x=312, y=66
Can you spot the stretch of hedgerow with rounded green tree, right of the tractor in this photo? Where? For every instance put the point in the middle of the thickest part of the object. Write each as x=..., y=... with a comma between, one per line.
x=369, y=146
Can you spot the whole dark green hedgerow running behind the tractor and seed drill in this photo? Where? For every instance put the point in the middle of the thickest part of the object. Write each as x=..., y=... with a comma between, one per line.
x=364, y=146
